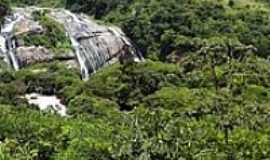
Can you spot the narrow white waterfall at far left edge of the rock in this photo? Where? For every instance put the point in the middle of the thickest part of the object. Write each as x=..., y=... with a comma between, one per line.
x=7, y=44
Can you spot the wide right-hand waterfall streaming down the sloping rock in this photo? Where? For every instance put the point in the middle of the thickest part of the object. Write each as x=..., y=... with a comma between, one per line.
x=95, y=45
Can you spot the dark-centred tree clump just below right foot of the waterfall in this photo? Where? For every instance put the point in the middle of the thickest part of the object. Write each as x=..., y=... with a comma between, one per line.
x=127, y=85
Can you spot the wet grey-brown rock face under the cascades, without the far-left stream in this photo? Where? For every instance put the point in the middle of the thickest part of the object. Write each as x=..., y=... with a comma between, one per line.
x=94, y=45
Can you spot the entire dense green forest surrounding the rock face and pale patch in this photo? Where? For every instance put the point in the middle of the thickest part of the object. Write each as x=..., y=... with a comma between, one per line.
x=202, y=93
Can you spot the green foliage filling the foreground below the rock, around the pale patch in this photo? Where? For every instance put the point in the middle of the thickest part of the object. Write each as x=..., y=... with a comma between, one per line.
x=173, y=117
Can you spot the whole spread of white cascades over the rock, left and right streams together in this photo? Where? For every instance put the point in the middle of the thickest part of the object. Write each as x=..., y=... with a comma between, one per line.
x=94, y=45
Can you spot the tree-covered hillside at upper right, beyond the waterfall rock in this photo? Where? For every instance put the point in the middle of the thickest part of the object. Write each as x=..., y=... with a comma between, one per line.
x=165, y=28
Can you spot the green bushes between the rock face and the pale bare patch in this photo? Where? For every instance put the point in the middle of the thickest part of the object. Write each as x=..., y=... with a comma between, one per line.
x=49, y=78
